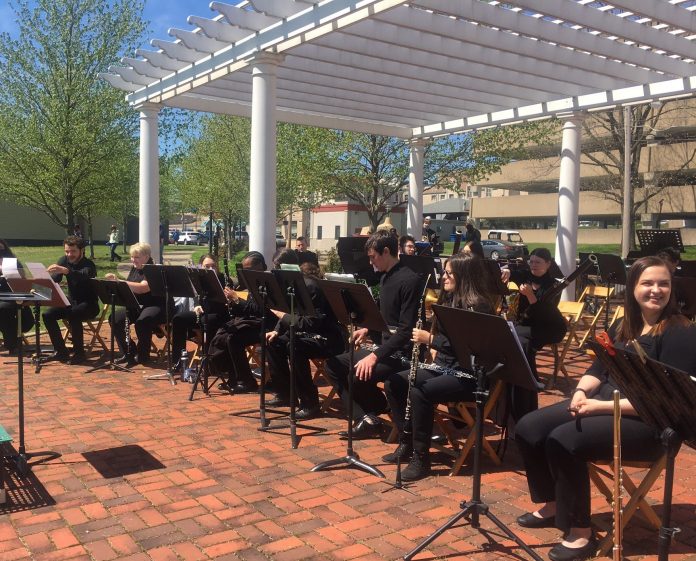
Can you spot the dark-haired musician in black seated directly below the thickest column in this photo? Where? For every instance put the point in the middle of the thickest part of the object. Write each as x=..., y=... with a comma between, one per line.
x=228, y=347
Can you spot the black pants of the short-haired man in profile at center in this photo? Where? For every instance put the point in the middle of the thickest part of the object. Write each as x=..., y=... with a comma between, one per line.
x=367, y=397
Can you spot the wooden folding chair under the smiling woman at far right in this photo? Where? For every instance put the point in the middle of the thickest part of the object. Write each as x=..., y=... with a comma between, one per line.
x=601, y=472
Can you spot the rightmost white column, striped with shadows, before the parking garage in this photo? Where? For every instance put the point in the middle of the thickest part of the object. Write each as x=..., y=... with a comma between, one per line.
x=569, y=198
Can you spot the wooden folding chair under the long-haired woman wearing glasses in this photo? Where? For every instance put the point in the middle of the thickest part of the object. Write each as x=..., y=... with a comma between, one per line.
x=462, y=411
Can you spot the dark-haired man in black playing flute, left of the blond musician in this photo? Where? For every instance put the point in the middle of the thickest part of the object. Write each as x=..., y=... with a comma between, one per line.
x=84, y=304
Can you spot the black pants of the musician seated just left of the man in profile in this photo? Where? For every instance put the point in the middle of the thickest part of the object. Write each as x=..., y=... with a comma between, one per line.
x=305, y=348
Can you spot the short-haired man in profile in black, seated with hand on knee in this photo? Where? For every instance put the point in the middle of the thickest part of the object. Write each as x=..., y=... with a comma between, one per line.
x=399, y=295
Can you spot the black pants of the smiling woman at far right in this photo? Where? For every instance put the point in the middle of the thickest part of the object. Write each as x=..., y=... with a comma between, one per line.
x=556, y=447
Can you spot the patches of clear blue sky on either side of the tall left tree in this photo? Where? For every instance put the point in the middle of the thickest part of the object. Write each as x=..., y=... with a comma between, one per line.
x=162, y=14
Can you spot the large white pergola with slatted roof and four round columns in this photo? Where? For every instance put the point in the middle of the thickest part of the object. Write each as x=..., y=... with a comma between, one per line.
x=413, y=69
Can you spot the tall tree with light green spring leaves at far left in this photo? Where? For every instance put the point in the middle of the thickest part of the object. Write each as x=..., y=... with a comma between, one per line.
x=73, y=125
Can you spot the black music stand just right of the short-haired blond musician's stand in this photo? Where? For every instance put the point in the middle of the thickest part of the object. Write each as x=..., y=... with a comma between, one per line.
x=170, y=281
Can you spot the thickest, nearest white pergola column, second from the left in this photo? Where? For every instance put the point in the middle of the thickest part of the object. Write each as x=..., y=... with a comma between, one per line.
x=262, y=188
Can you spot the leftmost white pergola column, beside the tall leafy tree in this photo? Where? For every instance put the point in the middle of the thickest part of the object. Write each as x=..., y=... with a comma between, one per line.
x=148, y=222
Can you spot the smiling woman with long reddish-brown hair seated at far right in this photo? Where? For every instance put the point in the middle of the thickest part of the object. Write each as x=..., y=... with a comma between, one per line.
x=557, y=441
